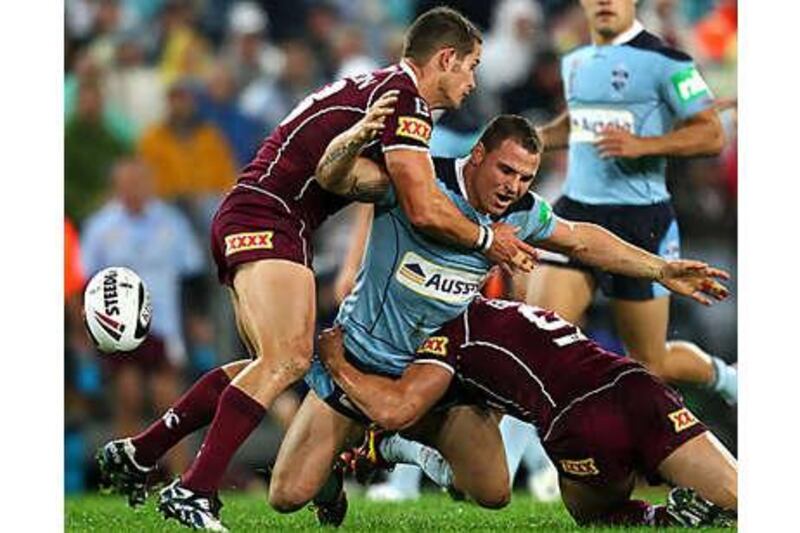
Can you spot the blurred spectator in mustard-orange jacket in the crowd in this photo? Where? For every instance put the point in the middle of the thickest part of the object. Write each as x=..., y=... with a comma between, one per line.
x=190, y=157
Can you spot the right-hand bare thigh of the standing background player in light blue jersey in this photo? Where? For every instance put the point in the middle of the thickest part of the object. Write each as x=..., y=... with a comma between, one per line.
x=642, y=327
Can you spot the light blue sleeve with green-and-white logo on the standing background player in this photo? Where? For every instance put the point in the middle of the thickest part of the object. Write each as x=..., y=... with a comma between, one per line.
x=684, y=89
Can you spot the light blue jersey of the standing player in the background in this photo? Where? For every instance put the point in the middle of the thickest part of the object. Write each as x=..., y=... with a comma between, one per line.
x=638, y=84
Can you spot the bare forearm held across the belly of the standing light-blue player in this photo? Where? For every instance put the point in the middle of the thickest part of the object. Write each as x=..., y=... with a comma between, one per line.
x=700, y=134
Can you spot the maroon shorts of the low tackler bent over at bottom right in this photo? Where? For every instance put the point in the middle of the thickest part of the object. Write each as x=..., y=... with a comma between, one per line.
x=629, y=427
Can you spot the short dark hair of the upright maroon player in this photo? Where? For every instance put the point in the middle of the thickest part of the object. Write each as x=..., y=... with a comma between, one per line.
x=441, y=27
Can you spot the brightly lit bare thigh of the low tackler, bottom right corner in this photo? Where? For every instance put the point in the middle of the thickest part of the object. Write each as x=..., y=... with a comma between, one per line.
x=705, y=465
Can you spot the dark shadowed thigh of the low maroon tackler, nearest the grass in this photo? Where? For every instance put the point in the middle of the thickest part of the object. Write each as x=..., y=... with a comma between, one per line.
x=587, y=502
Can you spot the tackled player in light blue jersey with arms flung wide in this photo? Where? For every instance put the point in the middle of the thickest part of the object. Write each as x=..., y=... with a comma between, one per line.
x=410, y=284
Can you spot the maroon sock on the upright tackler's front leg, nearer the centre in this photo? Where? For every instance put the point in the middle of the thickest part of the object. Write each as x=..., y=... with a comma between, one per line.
x=237, y=416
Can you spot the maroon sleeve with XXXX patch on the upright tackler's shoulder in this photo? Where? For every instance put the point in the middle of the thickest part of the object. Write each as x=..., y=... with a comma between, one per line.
x=411, y=126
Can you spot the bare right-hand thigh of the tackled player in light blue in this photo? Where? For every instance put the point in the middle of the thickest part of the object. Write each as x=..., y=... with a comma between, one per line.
x=469, y=439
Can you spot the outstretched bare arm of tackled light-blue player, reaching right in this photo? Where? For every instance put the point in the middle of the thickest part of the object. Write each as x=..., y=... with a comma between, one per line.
x=598, y=247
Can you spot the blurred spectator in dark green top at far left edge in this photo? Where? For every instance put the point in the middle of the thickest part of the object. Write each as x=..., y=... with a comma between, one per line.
x=89, y=149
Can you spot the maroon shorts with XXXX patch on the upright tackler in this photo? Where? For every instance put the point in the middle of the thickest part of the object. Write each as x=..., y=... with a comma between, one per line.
x=252, y=224
